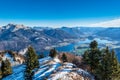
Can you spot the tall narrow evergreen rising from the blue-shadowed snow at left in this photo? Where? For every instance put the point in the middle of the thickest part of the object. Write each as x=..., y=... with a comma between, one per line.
x=31, y=63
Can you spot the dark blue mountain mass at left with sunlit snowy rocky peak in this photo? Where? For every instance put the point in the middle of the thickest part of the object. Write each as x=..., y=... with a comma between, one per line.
x=18, y=37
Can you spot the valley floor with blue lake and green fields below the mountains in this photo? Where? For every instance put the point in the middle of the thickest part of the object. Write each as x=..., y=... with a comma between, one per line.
x=79, y=46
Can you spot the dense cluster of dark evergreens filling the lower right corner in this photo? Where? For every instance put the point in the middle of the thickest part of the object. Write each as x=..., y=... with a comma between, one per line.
x=103, y=63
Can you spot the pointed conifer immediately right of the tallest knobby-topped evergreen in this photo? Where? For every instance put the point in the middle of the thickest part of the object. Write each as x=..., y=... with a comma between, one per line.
x=105, y=66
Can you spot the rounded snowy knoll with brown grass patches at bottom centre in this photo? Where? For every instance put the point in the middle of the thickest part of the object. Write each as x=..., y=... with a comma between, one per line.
x=68, y=72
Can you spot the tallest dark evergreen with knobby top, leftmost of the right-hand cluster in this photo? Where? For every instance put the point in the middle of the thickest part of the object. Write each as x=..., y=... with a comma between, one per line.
x=92, y=56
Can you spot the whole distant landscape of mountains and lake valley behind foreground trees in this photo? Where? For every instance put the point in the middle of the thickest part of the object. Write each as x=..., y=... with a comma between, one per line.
x=18, y=37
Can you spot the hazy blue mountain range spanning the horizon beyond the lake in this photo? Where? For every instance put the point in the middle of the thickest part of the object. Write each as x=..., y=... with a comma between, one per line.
x=17, y=37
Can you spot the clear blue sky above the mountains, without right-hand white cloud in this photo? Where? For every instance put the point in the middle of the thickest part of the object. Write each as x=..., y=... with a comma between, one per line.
x=56, y=13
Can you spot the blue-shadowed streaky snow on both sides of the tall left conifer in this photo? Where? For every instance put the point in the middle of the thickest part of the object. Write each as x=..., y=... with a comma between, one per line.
x=47, y=66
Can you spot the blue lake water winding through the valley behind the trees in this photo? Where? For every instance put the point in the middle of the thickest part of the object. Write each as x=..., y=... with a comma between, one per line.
x=71, y=47
